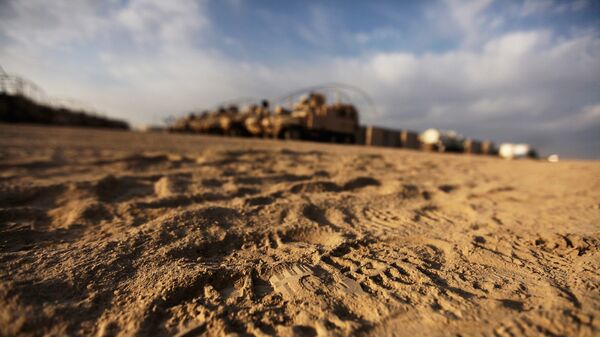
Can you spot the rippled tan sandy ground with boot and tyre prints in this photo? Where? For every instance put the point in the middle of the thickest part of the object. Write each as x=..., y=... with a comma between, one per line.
x=113, y=233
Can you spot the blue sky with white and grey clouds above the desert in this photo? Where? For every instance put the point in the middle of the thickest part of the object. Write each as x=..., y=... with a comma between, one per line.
x=510, y=71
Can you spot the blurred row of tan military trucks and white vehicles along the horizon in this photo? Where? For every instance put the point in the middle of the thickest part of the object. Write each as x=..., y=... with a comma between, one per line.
x=312, y=114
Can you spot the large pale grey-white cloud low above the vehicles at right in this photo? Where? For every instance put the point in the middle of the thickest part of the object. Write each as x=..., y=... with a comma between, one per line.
x=519, y=81
